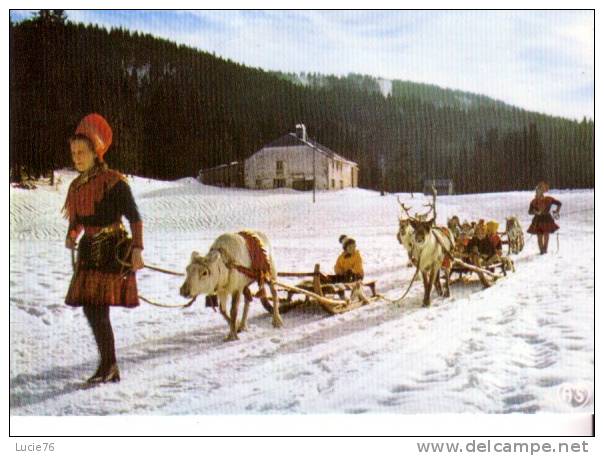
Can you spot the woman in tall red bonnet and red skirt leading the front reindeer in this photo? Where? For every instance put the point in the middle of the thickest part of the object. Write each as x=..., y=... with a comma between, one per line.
x=104, y=274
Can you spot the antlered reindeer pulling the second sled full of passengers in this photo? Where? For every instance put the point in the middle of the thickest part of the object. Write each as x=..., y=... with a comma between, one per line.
x=430, y=248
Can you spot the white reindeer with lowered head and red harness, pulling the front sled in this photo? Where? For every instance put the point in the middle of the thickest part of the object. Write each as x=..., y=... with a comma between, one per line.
x=220, y=273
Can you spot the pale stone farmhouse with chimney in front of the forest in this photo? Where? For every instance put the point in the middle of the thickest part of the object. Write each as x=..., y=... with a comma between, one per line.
x=294, y=160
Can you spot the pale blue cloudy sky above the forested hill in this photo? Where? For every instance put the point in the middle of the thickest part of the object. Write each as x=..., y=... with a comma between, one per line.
x=538, y=60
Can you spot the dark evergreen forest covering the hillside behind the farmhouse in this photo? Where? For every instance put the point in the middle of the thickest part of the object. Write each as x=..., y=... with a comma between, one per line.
x=175, y=110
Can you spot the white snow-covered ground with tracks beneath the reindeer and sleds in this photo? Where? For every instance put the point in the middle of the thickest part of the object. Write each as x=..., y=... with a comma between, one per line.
x=511, y=348
